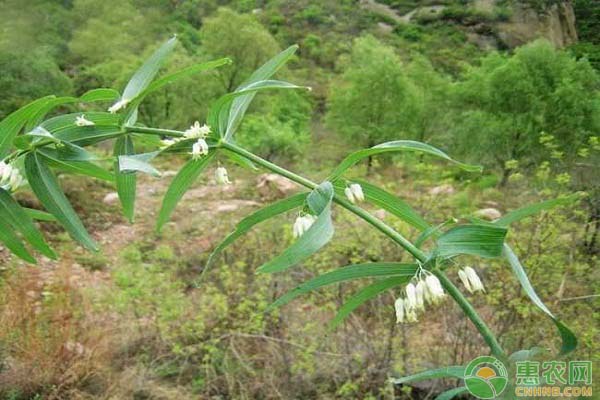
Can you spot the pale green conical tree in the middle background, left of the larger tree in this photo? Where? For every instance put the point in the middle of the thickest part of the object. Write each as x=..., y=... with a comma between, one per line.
x=374, y=101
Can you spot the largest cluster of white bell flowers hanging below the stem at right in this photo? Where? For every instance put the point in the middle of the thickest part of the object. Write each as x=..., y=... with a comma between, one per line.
x=428, y=290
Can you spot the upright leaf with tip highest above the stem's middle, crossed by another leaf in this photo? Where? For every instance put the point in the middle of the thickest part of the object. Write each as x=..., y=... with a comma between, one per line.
x=241, y=104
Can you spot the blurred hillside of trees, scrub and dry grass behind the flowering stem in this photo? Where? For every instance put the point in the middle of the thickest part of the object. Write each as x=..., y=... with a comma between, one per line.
x=144, y=319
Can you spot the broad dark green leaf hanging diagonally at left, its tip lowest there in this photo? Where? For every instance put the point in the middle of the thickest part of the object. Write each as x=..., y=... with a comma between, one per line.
x=45, y=186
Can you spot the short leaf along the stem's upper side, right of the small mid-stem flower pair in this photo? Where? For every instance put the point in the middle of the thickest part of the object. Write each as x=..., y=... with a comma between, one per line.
x=393, y=204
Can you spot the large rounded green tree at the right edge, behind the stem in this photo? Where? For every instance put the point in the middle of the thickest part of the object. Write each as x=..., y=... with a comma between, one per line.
x=503, y=107
